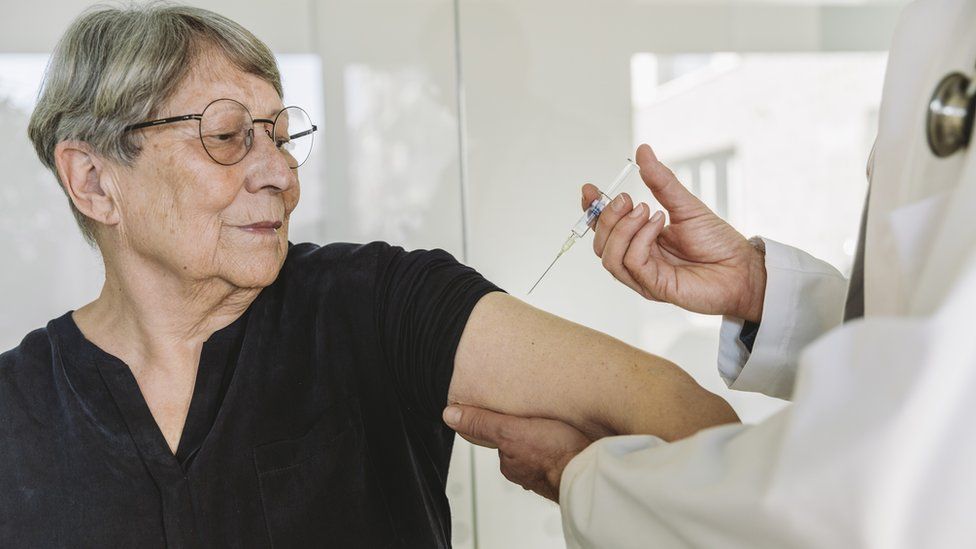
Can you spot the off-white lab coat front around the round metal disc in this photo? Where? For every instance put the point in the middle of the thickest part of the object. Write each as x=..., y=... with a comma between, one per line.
x=911, y=188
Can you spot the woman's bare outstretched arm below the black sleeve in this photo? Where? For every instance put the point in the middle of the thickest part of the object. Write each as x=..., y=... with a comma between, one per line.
x=519, y=360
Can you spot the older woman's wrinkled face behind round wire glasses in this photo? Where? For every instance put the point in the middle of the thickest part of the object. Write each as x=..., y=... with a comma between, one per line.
x=195, y=218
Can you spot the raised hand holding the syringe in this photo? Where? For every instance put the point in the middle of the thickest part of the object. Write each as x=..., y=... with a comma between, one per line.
x=697, y=261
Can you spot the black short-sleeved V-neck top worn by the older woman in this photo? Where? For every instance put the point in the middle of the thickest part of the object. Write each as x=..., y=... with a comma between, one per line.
x=314, y=422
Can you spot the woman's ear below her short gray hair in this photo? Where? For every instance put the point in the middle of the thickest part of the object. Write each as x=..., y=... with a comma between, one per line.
x=86, y=181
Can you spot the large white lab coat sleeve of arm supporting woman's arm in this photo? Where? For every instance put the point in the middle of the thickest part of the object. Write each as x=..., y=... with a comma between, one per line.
x=875, y=451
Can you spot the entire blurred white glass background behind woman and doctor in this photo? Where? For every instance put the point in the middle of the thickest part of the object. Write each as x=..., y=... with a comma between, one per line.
x=470, y=125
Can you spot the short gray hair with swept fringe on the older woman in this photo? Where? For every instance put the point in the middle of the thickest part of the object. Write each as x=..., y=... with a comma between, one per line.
x=116, y=66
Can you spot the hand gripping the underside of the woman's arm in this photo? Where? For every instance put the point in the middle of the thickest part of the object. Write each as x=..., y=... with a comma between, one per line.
x=533, y=451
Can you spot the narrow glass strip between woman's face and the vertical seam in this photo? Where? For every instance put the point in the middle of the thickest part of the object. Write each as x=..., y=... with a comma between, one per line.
x=392, y=169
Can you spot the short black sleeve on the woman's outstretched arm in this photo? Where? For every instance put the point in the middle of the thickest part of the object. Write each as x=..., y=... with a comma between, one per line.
x=422, y=303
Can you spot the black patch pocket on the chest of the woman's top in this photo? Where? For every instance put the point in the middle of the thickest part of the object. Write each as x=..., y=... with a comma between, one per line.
x=320, y=491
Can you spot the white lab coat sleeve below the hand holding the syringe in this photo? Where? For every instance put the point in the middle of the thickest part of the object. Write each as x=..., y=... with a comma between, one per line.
x=804, y=299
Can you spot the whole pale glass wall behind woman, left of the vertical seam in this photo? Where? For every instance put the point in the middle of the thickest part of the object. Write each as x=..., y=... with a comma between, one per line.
x=379, y=80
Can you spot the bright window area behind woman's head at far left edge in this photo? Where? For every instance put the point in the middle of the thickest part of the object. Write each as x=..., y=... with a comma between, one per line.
x=49, y=268
